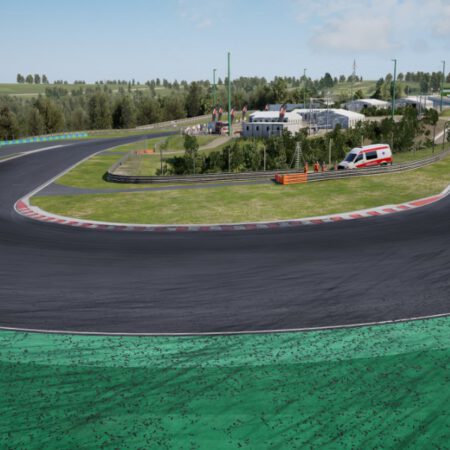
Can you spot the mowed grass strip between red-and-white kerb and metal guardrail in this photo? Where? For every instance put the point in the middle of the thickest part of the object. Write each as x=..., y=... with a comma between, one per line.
x=252, y=203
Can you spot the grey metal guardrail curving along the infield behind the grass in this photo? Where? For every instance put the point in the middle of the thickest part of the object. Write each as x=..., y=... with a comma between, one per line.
x=267, y=175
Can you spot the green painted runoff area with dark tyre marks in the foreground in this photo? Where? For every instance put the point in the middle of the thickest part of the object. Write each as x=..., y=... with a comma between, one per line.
x=371, y=387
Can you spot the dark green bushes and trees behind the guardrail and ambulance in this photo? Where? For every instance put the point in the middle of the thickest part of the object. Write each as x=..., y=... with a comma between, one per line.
x=278, y=152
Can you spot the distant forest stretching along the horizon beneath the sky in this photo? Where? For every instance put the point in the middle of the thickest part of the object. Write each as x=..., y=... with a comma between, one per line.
x=123, y=104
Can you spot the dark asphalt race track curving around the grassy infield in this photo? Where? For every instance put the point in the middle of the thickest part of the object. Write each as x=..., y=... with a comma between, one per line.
x=68, y=279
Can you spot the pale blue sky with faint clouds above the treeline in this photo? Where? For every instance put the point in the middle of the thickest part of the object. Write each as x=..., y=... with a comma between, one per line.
x=186, y=39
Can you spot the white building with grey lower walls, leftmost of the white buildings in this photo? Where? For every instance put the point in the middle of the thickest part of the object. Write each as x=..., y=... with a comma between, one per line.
x=270, y=123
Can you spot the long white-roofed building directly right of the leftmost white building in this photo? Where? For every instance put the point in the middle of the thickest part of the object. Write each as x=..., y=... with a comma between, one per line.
x=327, y=119
